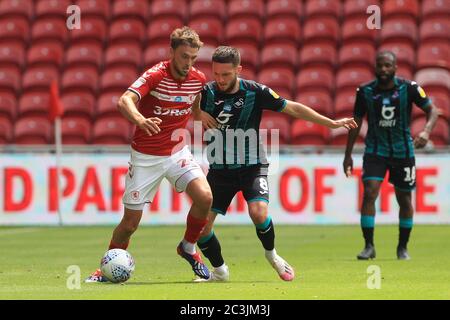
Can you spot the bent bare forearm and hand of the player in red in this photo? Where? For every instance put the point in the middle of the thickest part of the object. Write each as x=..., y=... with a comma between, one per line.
x=127, y=106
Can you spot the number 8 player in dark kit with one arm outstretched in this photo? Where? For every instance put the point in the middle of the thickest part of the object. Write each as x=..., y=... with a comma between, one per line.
x=230, y=104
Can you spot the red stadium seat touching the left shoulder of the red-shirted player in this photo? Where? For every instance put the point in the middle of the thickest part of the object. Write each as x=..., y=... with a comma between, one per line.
x=118, y=78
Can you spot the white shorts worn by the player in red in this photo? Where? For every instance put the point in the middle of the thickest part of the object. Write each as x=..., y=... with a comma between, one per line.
x=146, y=172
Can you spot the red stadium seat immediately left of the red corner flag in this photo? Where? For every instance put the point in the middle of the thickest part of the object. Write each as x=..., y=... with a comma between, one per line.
x=34, y=103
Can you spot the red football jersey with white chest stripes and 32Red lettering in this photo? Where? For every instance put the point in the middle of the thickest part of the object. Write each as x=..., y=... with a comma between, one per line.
x=160, y=95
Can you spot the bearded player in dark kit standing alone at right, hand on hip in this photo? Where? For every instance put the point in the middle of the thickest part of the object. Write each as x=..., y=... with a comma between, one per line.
x=387, y=101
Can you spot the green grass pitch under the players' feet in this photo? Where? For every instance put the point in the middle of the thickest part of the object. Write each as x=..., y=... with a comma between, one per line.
x=34, y=262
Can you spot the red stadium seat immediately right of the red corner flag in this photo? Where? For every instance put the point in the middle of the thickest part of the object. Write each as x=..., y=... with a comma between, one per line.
x=80, y=104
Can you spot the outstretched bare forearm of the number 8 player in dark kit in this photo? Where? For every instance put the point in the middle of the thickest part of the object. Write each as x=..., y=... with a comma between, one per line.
x=300, y=111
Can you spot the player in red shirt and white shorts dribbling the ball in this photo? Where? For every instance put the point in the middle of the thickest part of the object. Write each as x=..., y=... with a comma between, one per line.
x=158, y=103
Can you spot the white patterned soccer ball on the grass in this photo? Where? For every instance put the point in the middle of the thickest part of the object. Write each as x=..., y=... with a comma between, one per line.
x=117, y=265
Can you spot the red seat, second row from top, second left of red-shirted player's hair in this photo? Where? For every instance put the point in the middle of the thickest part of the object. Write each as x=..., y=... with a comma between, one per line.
x=125, y=30
